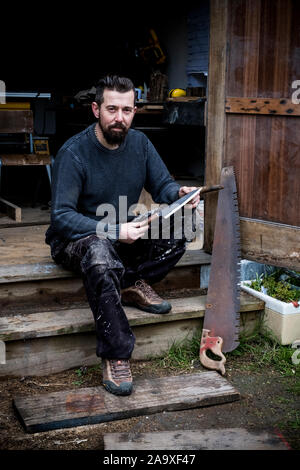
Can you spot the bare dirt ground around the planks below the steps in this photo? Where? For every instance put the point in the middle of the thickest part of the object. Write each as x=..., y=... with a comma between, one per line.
x=266, y=403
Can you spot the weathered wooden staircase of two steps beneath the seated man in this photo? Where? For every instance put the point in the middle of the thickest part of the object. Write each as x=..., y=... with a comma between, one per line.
x=47, y=326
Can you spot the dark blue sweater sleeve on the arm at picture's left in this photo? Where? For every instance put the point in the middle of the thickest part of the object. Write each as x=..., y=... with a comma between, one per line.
x=67, y=184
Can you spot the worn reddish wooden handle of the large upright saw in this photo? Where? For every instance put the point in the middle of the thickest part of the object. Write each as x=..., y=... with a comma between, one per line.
x=214, y=343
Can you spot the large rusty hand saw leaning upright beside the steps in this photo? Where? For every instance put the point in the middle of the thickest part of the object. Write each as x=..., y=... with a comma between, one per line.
x=222, y=317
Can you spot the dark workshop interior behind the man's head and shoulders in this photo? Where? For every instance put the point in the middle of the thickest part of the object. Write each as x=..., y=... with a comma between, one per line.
x=62, y=60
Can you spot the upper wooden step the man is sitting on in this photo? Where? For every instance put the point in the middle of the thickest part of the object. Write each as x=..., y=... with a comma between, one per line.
x=30, y=280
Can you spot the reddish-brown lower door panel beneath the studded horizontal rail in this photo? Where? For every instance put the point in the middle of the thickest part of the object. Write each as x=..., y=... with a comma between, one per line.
x=262, y=150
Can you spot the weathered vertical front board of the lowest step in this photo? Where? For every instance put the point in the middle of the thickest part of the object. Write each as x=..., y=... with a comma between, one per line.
x=52, y=354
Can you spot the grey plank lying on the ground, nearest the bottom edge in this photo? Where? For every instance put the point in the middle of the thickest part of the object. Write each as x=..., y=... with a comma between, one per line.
x=204, y=439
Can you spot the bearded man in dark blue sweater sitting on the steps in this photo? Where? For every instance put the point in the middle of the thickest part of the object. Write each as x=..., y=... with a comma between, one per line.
x=106, y=164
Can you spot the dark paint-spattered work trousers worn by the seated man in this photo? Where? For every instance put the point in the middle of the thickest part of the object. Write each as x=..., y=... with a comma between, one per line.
x=107, y=267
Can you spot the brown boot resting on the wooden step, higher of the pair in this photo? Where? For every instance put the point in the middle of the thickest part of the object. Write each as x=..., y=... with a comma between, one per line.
x=142, y=296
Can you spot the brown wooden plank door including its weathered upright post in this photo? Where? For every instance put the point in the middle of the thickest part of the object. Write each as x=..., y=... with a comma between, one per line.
x=253, y=123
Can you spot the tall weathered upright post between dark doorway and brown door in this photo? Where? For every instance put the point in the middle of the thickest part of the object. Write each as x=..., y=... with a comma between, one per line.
x=215, y=127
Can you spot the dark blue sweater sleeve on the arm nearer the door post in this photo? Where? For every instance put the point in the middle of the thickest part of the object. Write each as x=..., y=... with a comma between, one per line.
x=159, y=182
